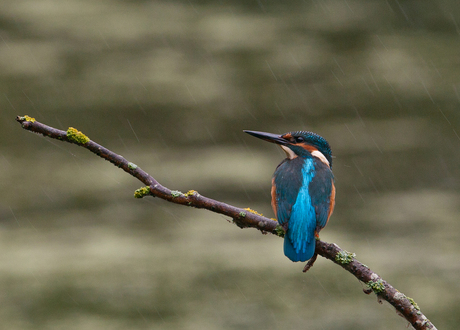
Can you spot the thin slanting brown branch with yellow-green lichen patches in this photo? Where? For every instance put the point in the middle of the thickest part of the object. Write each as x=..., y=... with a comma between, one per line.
x=243, y=218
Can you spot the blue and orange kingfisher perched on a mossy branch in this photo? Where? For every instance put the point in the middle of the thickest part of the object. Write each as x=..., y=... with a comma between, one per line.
x=303, y=191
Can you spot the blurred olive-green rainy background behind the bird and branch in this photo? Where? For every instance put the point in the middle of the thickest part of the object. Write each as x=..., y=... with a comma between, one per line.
x=170, y=85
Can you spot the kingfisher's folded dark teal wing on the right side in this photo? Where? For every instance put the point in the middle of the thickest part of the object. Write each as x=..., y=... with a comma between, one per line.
x=322, y=192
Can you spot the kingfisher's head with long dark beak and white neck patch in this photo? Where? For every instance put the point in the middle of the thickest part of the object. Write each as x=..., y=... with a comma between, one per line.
x=299, y=144
